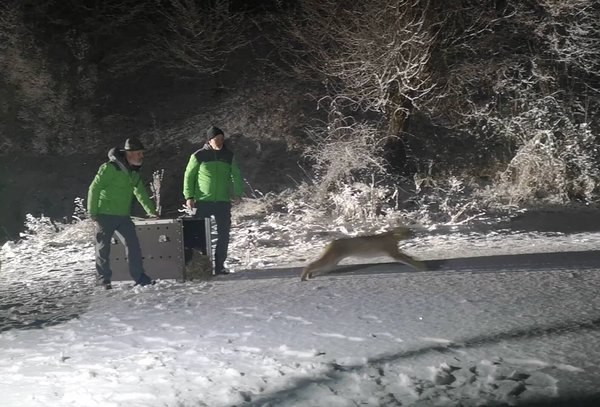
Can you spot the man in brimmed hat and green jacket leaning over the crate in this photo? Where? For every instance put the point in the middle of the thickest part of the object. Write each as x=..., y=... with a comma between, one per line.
x=110, y=197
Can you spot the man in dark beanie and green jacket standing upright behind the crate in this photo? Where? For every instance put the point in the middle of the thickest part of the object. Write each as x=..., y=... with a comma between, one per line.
x=211, y=182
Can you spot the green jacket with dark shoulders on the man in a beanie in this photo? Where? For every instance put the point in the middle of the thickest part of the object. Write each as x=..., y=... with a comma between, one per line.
x=212, y=176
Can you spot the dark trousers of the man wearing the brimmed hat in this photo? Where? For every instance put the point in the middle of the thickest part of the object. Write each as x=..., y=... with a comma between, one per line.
x=123, y=227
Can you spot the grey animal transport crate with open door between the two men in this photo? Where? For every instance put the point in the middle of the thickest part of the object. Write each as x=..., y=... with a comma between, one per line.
x=163, y=244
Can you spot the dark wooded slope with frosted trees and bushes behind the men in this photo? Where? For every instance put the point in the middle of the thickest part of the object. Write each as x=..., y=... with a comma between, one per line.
x=451, y=107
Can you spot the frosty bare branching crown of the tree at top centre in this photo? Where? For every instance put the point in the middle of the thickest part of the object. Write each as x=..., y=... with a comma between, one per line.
x=373, y=55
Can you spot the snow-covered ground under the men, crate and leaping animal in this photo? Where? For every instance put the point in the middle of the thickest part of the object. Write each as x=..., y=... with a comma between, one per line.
x=502, y=317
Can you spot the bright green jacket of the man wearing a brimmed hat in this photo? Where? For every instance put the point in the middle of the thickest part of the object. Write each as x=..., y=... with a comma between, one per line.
x=112, y=190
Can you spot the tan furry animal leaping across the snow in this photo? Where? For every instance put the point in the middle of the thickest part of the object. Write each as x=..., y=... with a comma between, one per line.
x=362, y=246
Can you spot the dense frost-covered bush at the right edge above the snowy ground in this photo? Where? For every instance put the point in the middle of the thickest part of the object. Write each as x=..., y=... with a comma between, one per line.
x=556, y=159
